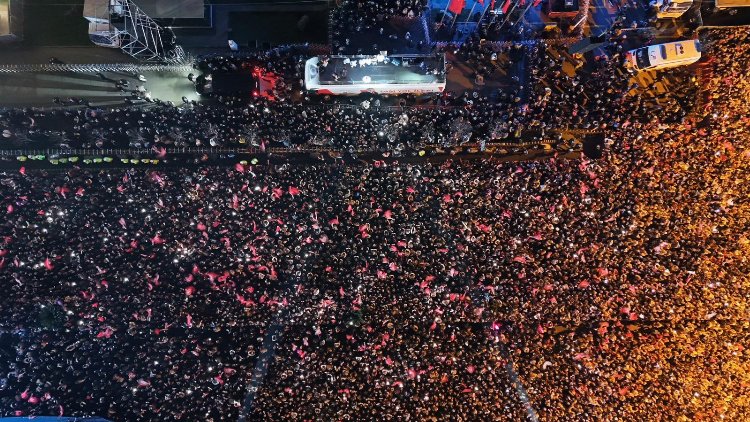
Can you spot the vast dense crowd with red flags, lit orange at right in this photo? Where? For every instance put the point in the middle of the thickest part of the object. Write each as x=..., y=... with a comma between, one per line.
x=461, y=290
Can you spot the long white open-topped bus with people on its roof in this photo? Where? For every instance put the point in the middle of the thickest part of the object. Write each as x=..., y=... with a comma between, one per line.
x=381, y=74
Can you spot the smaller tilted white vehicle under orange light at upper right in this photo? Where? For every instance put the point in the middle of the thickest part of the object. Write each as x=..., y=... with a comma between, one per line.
x=663, y=56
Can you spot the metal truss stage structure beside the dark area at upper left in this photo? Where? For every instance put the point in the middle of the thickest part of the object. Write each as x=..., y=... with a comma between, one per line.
x=122, y=24
